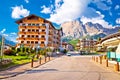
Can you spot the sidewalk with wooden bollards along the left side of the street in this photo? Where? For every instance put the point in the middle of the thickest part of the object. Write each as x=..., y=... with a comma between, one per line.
x=22, y=68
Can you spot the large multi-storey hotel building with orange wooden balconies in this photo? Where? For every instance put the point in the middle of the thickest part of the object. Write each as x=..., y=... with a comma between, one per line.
x=36, y=31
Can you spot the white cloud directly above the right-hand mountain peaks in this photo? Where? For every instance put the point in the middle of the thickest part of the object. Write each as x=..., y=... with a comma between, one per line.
x=99, y=20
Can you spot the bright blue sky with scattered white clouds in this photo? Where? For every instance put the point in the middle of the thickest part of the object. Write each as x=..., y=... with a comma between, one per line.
x=104, y=12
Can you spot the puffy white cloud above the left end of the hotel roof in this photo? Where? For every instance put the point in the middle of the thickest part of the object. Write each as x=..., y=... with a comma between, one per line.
x=19, y=11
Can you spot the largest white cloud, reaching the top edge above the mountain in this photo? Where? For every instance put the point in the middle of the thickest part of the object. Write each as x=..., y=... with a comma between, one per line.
x=68, y=10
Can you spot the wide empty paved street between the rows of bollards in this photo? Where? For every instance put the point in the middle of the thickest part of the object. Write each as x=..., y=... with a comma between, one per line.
x=75, y=67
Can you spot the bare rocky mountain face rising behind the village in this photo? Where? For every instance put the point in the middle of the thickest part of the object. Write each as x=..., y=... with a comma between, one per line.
x=76, y=29
